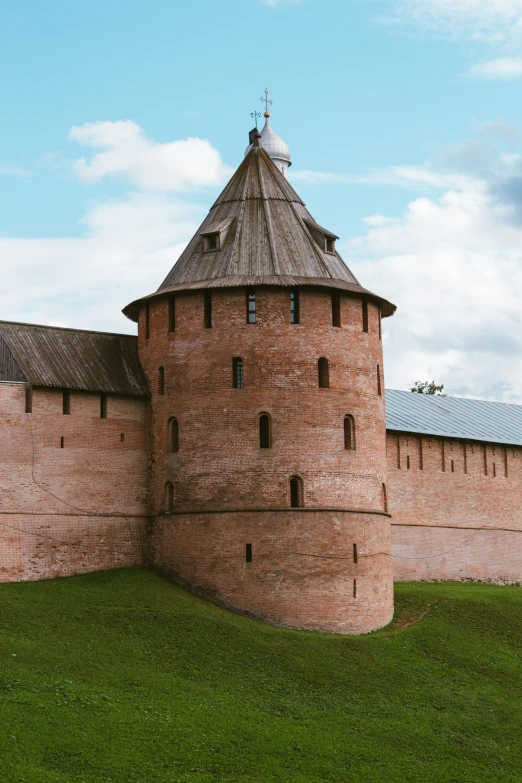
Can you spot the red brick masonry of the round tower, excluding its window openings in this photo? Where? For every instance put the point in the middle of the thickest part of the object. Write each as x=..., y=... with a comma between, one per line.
x=219, y=466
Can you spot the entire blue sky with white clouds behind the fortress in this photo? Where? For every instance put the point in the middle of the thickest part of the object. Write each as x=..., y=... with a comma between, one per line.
x=404, y=121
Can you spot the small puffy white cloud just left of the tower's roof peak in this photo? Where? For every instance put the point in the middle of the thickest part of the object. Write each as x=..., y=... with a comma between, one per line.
x=128, y=154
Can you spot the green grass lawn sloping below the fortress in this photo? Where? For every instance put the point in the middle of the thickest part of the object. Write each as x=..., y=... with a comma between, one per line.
x=122, y=676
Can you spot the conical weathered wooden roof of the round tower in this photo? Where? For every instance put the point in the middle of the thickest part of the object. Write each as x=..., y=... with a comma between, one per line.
x=266, y=236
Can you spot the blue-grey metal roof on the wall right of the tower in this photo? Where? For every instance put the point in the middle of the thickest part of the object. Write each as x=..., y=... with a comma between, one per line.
x=454, y=417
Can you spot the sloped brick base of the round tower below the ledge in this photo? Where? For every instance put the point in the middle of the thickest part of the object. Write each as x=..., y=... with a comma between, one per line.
x=302, y=573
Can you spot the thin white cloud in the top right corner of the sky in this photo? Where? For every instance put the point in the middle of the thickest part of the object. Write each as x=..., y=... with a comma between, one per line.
x=488, y=20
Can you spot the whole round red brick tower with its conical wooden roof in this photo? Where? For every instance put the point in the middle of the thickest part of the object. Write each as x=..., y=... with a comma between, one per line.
x=268, y=464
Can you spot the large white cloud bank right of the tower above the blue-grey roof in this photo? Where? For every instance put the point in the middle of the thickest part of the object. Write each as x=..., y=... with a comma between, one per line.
x=454, y=268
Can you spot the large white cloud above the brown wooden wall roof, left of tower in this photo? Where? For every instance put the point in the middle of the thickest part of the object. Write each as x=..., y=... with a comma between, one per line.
x=127, y=249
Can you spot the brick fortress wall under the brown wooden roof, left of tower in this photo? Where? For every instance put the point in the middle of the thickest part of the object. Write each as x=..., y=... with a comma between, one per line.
x=74, y=509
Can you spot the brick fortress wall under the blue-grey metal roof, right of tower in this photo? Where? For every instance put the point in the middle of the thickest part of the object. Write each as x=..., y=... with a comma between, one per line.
x=456, y=509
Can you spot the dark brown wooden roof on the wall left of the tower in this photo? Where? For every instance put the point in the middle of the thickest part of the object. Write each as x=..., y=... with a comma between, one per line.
x=76, y=359
